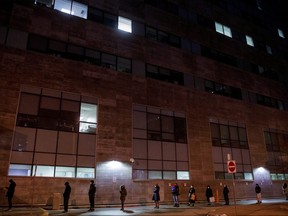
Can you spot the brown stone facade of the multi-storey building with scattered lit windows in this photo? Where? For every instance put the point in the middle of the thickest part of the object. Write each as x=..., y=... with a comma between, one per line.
x=139, y=92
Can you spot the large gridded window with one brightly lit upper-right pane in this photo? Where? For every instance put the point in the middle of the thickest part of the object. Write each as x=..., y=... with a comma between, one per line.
x=55, y=135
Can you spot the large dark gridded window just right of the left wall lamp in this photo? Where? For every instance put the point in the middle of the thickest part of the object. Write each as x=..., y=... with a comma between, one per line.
x=160, y=146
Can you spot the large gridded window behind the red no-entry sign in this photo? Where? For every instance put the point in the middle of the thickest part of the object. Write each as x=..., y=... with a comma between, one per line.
x=230, y=138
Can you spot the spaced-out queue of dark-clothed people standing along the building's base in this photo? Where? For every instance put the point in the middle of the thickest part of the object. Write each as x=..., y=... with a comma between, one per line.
x=155, y=197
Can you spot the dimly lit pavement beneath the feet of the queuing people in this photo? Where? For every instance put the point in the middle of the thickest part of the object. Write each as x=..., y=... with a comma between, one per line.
x=271, y=207
